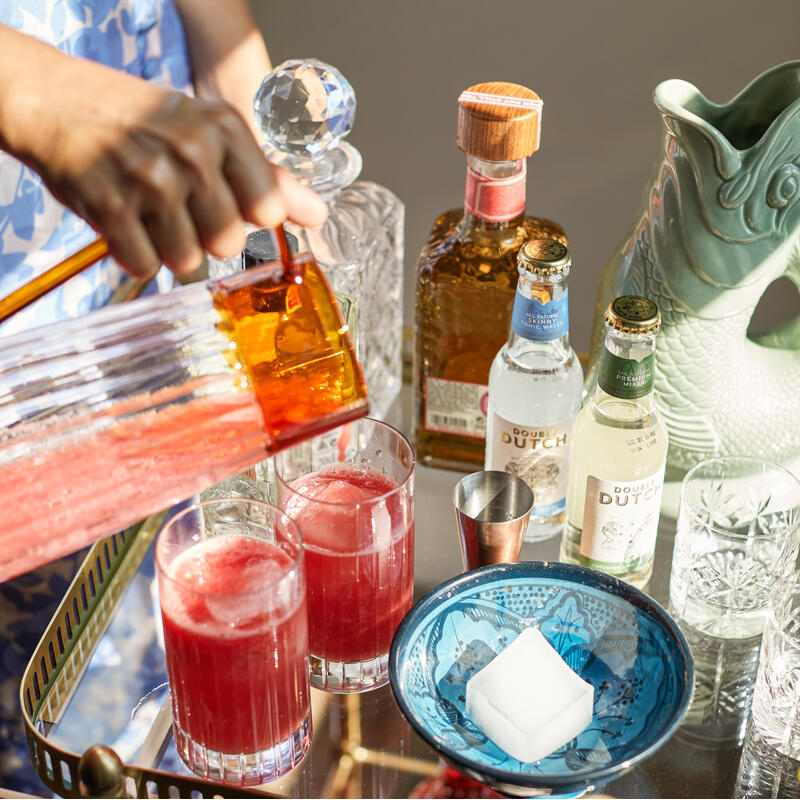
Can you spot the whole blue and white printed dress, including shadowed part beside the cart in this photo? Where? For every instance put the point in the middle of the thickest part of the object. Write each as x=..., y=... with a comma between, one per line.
x=144, y=38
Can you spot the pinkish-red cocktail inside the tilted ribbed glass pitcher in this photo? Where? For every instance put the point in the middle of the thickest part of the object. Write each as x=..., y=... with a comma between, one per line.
x=116, y=476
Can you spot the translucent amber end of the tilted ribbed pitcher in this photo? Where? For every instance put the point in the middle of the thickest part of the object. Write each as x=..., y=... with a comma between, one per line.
x=275, y=324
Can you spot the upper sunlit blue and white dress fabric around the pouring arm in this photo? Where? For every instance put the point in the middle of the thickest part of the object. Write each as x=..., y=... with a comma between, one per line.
x=141, y=37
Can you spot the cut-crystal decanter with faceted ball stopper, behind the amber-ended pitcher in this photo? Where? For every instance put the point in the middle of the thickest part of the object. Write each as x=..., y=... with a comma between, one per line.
x=305, y=108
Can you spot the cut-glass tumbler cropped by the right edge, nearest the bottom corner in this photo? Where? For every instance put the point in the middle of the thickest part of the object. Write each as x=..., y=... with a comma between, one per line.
x=770, y=763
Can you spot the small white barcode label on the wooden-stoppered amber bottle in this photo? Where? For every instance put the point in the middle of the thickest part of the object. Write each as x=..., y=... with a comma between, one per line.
x=456, y=407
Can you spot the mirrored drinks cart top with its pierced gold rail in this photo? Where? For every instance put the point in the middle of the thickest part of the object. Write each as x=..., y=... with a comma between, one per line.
x=109, y=686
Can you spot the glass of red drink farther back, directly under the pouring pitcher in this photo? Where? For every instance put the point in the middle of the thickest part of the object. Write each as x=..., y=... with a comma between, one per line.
x=352, y=495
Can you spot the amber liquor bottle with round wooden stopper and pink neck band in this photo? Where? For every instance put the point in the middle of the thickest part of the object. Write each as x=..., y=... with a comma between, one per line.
x=467, y=274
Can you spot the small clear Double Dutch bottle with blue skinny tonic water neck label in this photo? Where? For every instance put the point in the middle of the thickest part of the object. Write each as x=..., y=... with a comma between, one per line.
x=535, y=387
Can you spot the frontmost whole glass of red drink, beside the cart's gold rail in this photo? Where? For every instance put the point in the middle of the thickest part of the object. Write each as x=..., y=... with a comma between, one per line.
x=232, y=584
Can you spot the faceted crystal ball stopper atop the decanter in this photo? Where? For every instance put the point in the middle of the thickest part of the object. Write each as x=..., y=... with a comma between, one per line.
x=304, y=107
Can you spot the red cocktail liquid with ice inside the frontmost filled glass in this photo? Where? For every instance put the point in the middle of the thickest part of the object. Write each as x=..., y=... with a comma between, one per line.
x=236, y=662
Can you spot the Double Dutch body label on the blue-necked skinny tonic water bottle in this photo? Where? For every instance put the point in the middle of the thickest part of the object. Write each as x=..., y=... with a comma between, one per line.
x=538, y=455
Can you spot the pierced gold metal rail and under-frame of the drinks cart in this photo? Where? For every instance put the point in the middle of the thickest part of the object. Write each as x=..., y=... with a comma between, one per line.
x=62, y=655
